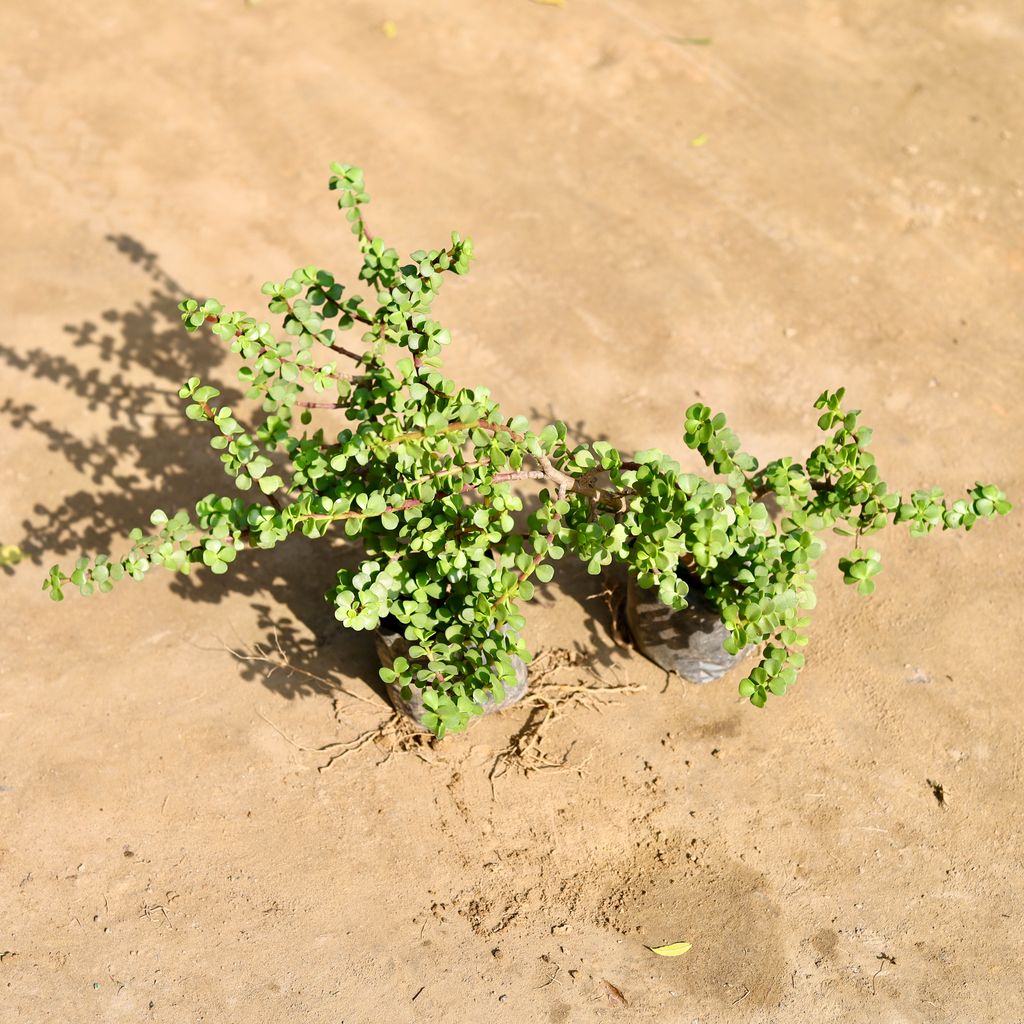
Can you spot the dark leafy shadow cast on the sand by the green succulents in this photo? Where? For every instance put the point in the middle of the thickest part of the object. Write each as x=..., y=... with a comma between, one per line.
x=148, y=456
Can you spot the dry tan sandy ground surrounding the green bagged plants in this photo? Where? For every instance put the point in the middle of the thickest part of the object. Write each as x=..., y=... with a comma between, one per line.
x=745, y=203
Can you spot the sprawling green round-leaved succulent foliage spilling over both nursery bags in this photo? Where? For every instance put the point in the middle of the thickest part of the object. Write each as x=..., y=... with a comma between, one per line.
x=423, y=478
